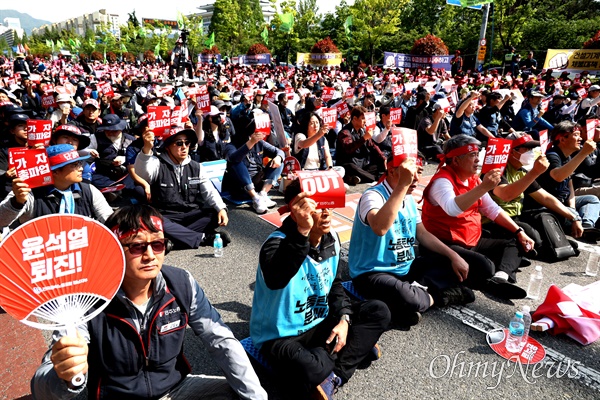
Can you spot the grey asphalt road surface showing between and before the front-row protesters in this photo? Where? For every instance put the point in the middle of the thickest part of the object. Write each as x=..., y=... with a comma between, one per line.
x=441, y=358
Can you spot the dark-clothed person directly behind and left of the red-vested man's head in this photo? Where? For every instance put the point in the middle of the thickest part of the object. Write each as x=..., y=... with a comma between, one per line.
x=432, y=131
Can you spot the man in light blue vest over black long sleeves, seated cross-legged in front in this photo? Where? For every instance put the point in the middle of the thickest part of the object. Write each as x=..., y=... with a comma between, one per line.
x=302, y=319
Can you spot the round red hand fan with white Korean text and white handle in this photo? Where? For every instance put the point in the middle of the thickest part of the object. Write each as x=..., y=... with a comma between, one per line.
x=59, y=271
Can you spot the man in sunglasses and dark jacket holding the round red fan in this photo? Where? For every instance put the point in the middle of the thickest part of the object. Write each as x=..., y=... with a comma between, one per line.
x=108, y=350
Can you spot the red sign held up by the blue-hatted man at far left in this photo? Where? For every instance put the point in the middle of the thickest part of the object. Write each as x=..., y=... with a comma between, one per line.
x=32, y=166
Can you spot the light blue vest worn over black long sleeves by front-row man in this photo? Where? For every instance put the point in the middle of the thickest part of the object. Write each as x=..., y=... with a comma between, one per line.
x=299, y=306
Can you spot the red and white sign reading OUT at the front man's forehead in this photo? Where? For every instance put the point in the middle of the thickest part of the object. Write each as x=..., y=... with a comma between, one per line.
x=326, y=188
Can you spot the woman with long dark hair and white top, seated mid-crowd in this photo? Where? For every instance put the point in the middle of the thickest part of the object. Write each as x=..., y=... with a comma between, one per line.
x=311, y=148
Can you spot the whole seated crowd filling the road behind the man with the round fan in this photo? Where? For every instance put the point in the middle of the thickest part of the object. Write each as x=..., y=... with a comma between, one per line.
x=104, y=155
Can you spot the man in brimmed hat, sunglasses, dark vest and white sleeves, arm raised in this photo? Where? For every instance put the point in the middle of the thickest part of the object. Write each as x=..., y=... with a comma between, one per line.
x=191, y=206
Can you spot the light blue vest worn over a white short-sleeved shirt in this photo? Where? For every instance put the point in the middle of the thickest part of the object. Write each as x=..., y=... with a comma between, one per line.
x=393, y=252
